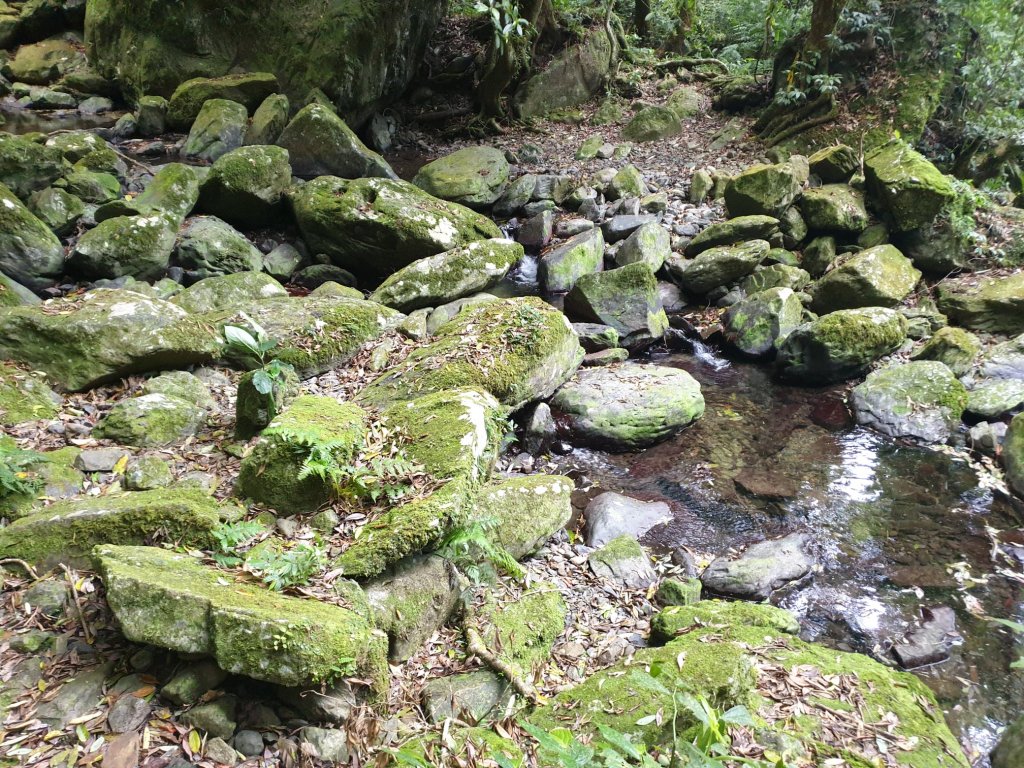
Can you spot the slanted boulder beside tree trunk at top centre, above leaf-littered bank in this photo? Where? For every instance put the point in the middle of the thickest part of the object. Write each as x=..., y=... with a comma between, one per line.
x=571, y=79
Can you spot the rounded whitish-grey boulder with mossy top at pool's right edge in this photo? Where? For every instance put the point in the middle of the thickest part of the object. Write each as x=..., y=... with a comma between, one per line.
x=922, y=401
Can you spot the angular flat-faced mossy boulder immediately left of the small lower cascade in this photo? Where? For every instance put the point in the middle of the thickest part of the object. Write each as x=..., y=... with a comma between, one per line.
x=626, y=298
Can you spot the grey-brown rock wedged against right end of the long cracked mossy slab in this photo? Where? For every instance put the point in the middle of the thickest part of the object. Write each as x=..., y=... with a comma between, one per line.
x=412, y=601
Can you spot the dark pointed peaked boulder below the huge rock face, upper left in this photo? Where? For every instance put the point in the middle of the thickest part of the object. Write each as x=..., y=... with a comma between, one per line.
x=321, y=144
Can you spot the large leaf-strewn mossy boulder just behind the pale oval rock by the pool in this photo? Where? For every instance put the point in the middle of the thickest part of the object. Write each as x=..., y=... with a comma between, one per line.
x=519, y=351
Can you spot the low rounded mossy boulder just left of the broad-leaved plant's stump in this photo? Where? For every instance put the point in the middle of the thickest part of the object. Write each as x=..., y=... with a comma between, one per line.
x=152, y=421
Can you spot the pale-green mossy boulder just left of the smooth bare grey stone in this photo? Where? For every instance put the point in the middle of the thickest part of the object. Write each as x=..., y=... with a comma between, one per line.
x=526, y=513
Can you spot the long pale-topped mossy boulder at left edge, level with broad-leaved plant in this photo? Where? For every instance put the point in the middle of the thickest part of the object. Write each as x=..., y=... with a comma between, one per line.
x=104, y=335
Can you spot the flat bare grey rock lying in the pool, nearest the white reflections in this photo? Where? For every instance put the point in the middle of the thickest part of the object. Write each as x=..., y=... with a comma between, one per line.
x=761, y=570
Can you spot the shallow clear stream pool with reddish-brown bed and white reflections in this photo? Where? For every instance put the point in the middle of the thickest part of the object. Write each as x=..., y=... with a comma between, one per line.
x=892, y=526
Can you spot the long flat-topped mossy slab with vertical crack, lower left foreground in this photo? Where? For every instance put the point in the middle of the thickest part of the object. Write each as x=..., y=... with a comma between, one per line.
x=170, y=601
